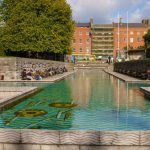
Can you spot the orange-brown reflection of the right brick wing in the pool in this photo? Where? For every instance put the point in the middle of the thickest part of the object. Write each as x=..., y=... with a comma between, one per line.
x=127, y=95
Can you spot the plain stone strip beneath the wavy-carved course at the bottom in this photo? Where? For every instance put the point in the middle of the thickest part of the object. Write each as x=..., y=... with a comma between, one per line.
x=68, y=147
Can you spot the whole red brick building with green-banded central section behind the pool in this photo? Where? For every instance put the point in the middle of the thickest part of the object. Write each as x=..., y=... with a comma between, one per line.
x=104, y=40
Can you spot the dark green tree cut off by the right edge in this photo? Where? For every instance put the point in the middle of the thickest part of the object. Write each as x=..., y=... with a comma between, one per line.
x=147, y=43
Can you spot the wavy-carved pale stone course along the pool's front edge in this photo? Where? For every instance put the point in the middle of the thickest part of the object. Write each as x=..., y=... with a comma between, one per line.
x=75, y=137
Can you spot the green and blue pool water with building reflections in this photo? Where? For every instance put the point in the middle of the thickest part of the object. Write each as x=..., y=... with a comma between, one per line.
x=86, y=100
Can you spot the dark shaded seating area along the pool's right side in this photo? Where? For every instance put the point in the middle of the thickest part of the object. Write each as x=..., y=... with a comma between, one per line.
x=139, y=69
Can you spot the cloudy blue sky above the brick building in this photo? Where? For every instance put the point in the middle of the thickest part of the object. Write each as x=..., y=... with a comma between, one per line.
x=106, y=11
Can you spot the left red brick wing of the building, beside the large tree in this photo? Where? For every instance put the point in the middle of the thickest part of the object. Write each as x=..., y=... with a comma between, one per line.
x=81, y=43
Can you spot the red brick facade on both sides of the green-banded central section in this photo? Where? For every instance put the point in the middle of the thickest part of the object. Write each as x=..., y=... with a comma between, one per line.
x=82, y=39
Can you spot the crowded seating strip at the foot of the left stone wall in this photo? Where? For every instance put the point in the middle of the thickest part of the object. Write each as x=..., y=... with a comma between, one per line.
x=39, y=74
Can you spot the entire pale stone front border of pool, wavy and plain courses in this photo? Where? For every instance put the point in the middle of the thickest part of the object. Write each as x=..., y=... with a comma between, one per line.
x=29, y=139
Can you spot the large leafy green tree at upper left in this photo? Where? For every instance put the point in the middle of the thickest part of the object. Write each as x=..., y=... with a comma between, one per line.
x=36, y=26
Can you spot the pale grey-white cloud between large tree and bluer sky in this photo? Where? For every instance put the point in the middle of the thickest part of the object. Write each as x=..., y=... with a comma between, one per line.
x=84, y=9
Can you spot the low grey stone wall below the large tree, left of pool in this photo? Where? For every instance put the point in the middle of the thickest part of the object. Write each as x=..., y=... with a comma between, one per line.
x=11, y=68
